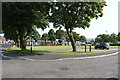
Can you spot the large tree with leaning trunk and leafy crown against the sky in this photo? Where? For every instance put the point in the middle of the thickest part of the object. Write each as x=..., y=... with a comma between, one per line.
x=72, y=15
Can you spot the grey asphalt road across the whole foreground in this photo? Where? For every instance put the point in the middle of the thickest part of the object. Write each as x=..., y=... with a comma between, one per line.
x=102, y=67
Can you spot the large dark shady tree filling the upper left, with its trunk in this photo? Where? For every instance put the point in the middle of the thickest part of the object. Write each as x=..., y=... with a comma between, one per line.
x=18, y=19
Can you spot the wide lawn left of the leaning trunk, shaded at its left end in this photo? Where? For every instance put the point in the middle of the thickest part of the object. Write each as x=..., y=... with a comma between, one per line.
x=36, y=49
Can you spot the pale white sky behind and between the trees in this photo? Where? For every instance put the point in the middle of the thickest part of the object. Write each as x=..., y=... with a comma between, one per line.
x=107, y=24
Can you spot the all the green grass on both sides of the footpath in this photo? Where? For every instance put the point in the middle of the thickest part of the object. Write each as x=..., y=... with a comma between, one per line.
x=41, y=49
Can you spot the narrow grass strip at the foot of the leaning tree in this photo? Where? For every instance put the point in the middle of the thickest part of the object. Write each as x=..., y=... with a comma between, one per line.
x=81, y=51
